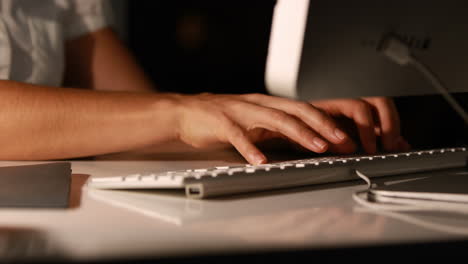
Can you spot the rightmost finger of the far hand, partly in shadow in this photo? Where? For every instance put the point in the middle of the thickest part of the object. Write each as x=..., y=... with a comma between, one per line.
x=389, y=122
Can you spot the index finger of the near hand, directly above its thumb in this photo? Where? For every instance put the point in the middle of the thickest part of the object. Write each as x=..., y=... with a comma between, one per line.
x=276, y=121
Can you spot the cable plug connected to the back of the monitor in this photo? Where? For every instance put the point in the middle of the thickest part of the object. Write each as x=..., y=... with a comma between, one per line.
x=396, y=50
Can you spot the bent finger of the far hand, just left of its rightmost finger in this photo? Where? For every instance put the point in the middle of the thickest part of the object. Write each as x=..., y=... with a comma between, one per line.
x=361, y=113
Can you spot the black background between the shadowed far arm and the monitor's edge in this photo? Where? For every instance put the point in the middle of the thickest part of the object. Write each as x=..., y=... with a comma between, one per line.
x=200, y=46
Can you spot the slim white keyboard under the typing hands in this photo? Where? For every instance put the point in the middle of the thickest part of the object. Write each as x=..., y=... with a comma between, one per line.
x=218, y=181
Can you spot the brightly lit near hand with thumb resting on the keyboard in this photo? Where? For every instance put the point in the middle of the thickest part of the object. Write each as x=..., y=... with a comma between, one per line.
x=242, y=120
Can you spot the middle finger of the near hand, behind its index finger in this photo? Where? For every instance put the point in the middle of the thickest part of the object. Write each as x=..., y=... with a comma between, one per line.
x=319, y=121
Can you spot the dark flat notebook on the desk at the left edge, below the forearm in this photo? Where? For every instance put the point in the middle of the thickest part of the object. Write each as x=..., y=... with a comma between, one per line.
x=35, y=186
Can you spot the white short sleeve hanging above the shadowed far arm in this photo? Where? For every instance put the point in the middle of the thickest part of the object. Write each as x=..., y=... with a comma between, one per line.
x=86, y=16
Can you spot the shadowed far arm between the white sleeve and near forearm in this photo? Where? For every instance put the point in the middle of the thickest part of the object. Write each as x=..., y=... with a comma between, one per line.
x=100, y=61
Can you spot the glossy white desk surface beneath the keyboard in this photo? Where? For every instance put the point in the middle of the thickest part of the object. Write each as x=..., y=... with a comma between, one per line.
x=137, y=224
